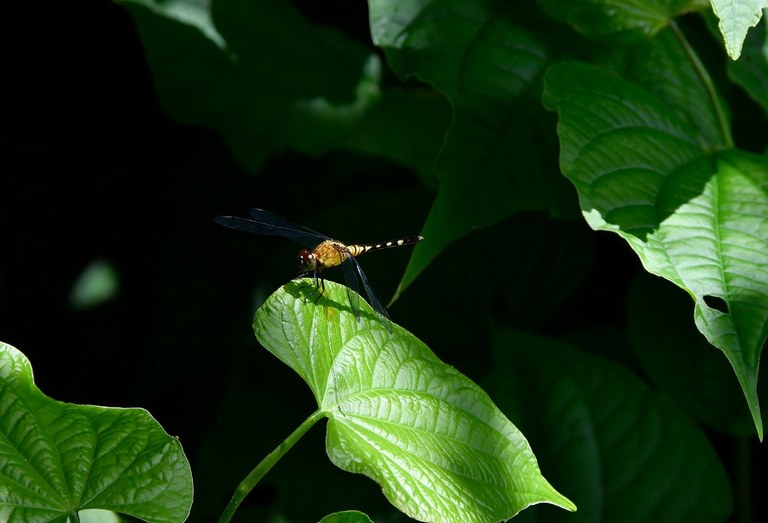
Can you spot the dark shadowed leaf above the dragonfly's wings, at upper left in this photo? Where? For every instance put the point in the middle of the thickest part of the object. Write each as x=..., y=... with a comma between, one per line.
x=267, y=80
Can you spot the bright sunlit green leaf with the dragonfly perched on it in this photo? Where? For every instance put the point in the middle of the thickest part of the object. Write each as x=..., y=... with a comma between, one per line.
x=431, y=438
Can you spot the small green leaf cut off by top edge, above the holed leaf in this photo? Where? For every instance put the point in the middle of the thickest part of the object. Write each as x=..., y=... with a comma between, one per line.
x=626, y=22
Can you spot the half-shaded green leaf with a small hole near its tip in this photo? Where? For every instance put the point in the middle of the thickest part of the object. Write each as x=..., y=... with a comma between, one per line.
x=698, y=218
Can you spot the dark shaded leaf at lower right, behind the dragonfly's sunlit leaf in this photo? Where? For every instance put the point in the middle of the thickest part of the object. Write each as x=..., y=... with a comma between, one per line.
x=618, y=448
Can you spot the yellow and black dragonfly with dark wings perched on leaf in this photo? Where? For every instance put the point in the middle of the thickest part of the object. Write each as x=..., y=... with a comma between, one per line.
x=322, y=252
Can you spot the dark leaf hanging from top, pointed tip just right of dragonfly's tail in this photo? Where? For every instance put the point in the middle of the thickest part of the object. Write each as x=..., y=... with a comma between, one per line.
x=496, y=157
